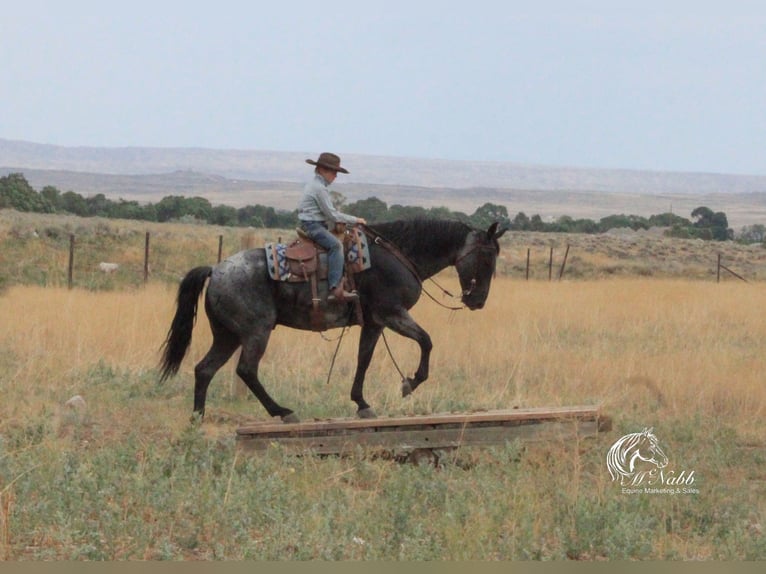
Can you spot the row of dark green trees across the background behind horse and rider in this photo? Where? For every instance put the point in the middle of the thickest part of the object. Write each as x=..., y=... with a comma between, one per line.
x=17, y=193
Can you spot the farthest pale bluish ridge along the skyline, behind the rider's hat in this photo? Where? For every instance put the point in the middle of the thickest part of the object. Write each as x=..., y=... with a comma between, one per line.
x=288, y=166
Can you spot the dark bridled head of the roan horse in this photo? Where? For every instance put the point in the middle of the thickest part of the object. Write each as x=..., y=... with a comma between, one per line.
x=475, y=264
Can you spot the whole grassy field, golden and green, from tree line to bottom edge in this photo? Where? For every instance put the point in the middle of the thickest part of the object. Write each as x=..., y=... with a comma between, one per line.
x=126, y=477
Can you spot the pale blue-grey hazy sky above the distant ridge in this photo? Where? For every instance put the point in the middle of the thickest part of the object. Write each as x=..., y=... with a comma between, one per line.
x=658, y=85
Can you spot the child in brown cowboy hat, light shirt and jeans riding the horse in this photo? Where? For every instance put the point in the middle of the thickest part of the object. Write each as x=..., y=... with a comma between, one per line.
x=317, y=216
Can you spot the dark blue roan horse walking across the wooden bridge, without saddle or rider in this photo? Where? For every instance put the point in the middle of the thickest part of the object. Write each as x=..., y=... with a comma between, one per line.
x=243, y=304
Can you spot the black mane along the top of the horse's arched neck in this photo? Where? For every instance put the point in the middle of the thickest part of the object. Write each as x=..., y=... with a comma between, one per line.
x=430, y=236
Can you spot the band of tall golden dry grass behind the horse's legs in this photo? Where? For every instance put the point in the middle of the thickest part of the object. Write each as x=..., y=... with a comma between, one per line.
x=641, y=348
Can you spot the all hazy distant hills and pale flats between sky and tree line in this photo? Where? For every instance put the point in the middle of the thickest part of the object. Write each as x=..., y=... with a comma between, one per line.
x=240, y=177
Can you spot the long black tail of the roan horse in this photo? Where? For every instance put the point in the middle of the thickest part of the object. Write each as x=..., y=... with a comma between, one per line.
x=179, y=336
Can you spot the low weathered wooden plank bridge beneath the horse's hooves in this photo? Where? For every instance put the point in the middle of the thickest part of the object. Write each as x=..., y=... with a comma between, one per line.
x=441, y=431
